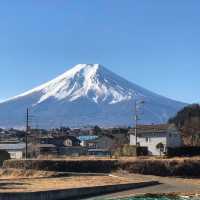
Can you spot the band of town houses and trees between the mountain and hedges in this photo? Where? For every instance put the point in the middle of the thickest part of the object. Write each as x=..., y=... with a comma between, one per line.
x=143, y=140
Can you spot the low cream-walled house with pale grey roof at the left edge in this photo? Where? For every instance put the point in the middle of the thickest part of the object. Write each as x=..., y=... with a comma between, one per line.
x=16, y=150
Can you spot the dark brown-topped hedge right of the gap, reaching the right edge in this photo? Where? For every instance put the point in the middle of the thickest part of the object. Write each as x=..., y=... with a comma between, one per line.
x=163, y=167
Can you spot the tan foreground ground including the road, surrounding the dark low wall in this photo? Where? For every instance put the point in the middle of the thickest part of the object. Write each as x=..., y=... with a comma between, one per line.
x=26, y=181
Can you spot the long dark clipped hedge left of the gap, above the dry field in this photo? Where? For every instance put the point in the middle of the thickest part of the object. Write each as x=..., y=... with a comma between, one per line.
x=81, y=166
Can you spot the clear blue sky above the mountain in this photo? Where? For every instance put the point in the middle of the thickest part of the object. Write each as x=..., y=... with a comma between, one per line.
x=153, y=43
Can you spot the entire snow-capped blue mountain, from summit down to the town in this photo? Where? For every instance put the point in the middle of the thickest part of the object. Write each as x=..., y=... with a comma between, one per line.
x=87, y=94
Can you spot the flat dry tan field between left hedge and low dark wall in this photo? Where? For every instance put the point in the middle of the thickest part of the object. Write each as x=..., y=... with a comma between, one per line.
x=44, y=184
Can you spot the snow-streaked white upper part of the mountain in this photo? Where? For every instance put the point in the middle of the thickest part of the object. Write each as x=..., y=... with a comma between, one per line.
x=90, y=81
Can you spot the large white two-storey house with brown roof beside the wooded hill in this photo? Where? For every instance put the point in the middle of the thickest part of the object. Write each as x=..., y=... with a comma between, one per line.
x=157, y=138
